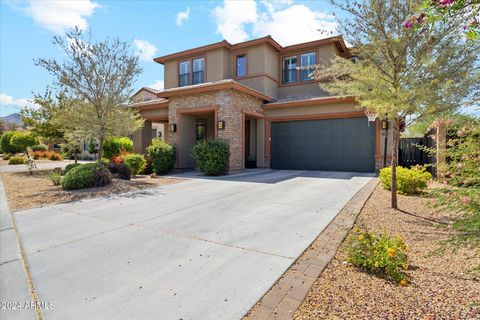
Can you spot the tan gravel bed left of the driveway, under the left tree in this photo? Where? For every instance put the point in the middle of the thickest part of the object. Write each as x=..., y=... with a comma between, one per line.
x=29, y=191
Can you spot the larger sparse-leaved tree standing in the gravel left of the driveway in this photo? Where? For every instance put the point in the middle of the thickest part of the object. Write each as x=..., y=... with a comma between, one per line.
x=100, y=76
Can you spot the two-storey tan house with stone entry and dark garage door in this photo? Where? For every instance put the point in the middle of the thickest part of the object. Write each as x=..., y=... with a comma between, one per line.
x=254, y=96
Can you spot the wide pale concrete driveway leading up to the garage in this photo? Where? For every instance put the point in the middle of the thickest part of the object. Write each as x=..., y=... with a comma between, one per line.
x=200, y=249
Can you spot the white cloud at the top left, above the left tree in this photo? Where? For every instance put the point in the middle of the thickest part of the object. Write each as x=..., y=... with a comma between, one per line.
x=60, y=15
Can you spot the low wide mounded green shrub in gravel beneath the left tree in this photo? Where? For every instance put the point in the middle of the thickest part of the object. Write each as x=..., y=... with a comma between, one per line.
x=86, y=176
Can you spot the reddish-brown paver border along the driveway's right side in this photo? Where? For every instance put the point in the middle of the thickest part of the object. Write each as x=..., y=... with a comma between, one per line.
x=287, y=294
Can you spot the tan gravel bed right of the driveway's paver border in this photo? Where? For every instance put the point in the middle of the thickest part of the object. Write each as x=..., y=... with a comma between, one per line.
x=441, y=288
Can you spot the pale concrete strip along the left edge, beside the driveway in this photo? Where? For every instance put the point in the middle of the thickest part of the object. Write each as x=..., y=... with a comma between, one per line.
x=16, y=286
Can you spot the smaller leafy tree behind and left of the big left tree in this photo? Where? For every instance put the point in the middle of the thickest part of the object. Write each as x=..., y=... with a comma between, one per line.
x=42, y=120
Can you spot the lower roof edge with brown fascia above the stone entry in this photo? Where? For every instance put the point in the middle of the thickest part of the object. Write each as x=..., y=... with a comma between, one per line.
x=211, y=86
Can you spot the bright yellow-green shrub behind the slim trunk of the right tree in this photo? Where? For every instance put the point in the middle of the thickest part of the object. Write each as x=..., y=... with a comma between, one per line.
x=409, y=181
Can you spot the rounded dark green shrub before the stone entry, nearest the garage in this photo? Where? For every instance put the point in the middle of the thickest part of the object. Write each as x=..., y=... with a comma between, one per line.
x=211, y=156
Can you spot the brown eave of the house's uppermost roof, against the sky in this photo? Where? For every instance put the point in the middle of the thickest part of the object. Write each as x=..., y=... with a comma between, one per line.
x=338, y=40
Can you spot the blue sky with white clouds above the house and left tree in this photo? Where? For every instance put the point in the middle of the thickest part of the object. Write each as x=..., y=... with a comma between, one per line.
x=154, y=28
